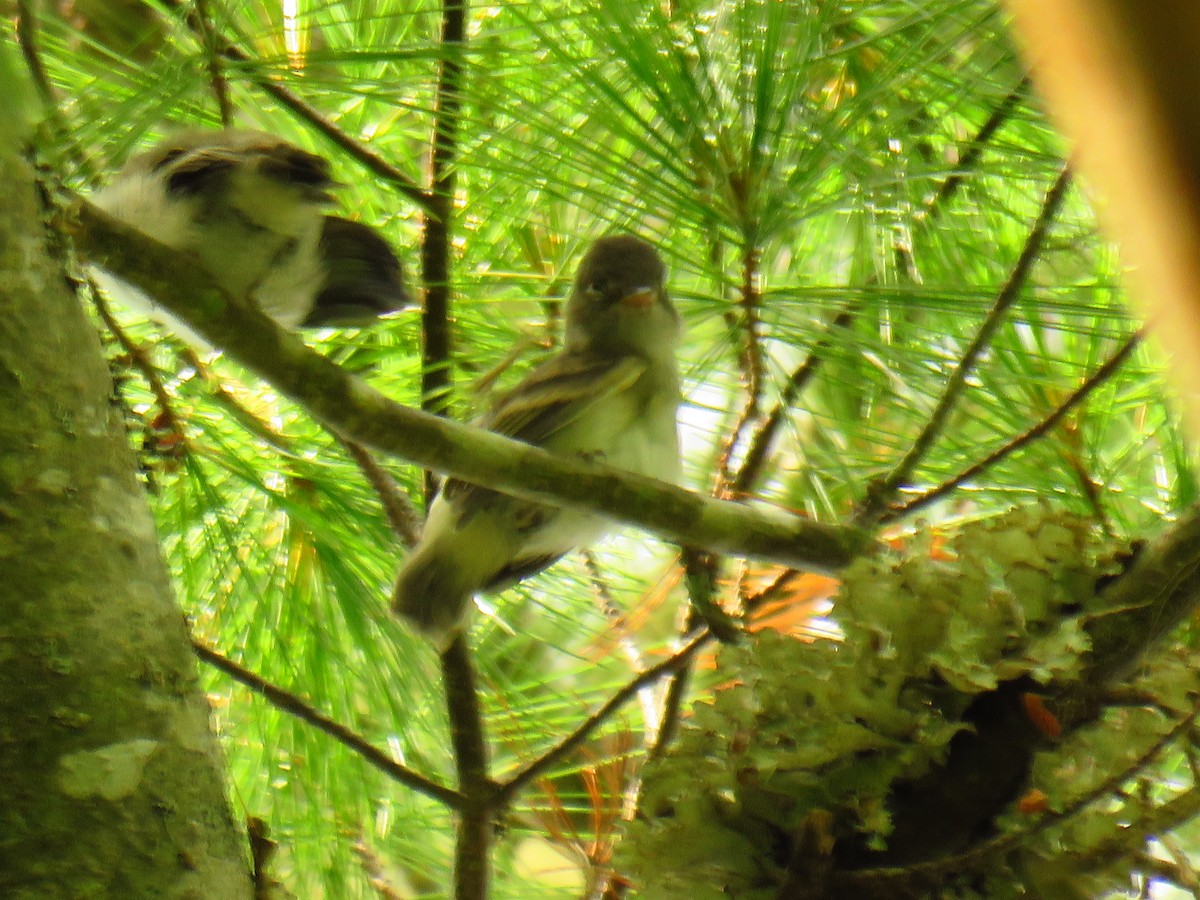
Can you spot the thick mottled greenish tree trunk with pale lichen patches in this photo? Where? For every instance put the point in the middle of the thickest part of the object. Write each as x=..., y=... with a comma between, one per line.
x=112, y=783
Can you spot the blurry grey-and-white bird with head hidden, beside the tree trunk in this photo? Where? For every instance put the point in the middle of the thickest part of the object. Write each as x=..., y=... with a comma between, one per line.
x=251, y=208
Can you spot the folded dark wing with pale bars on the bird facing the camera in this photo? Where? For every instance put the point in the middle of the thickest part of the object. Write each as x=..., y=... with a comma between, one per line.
x=551, y=398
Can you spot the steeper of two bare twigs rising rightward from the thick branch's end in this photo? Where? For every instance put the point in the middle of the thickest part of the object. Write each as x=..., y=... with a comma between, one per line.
x=881, y=494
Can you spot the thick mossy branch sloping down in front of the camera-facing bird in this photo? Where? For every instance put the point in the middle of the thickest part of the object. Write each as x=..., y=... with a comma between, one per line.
x=369, y=418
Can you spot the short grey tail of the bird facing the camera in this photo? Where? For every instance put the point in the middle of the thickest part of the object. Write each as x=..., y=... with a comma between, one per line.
x=434, y=595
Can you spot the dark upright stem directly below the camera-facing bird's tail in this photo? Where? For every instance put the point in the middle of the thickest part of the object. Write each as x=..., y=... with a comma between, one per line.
x=479, y=805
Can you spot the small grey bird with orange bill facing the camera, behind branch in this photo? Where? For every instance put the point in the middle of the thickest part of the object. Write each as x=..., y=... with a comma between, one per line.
x=611, y=395
